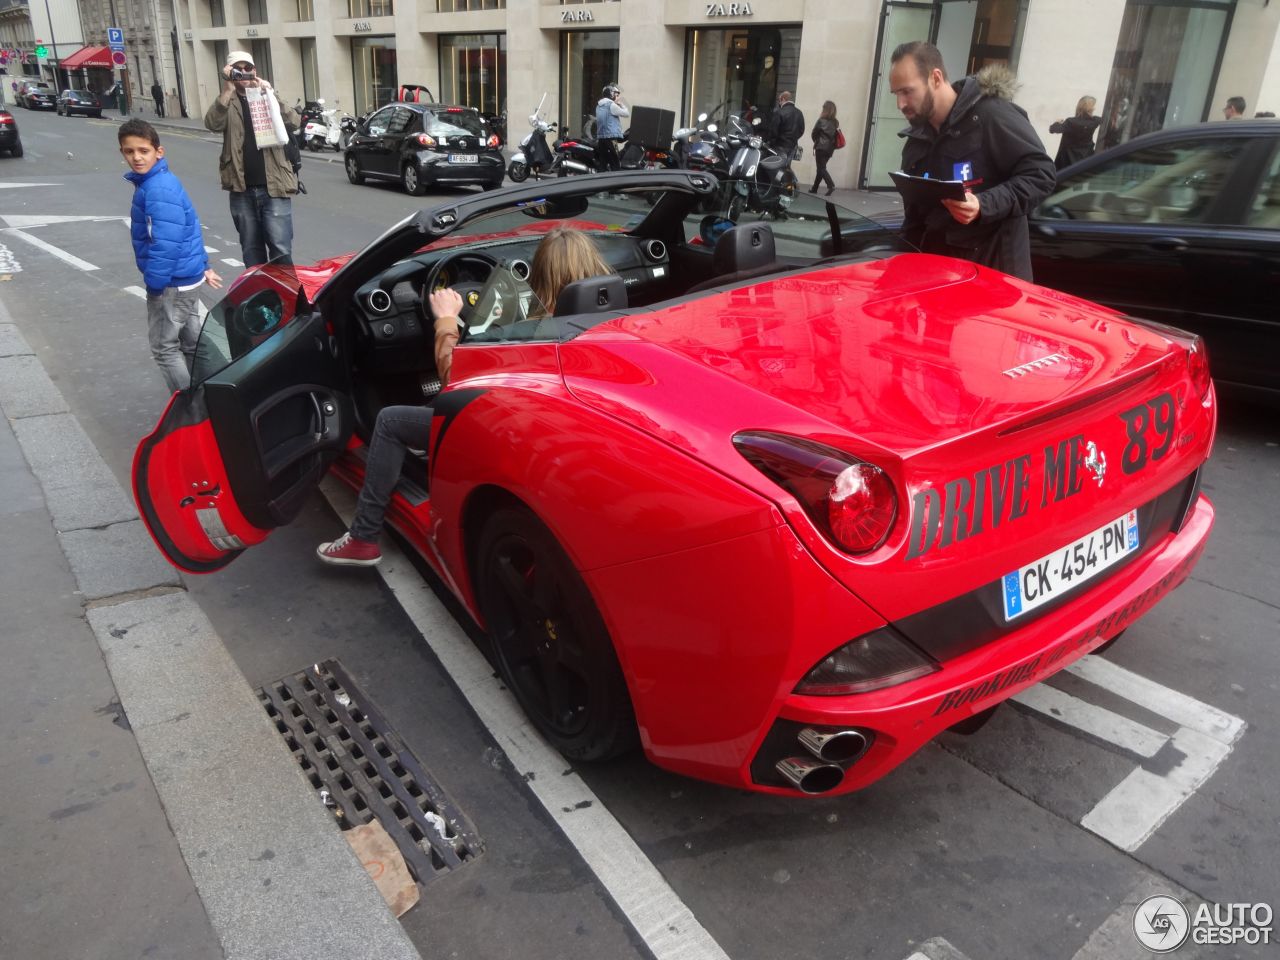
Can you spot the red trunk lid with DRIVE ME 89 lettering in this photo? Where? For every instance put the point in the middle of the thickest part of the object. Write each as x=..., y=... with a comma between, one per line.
x=1012, y=419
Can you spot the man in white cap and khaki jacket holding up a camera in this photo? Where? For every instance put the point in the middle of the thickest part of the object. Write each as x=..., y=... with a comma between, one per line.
x=260, y=180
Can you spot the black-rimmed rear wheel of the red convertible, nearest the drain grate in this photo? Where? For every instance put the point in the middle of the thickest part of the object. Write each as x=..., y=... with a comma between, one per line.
x=551, y=643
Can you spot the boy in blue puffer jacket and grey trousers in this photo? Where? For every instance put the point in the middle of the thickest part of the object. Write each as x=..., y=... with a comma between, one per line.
x=170, y=250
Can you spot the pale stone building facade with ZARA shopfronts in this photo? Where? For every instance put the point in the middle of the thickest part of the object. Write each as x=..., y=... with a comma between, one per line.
x=1149, y=63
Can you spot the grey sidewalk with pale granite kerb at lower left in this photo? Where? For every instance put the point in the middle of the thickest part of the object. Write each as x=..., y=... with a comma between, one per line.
x=152, y=810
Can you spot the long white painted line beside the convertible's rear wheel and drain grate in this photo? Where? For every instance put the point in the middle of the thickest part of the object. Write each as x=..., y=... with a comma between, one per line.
x=659, y=917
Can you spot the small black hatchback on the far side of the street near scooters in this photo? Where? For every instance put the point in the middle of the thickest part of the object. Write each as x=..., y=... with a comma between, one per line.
x=424, y=145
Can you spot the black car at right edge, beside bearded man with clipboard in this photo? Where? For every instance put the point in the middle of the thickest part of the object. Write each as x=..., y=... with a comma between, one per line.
x=1183, y=227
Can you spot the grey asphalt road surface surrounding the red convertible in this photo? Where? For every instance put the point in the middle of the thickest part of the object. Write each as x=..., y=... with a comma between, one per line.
x=996, y=843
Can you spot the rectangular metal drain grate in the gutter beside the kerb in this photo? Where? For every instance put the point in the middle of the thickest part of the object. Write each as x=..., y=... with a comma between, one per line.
x=363, y=770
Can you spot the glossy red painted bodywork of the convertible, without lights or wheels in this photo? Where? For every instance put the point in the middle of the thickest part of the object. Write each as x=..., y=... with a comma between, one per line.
x=976, y=394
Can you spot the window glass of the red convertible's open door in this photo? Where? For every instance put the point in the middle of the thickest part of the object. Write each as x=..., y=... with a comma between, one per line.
x=255, y=307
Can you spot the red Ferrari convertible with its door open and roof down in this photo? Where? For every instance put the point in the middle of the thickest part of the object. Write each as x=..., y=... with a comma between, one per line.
x=774, y=500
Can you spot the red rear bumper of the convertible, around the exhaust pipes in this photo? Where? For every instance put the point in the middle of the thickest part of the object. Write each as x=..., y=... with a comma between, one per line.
x=714, y=642
